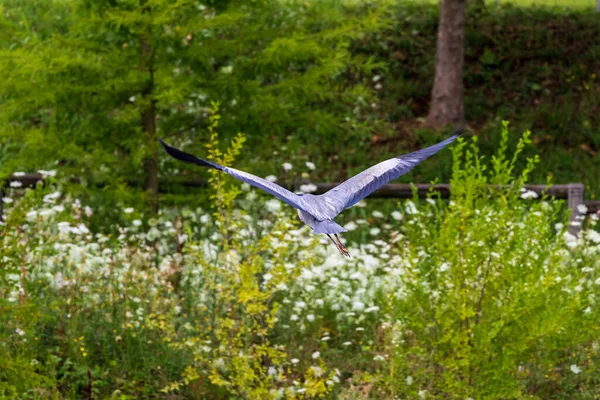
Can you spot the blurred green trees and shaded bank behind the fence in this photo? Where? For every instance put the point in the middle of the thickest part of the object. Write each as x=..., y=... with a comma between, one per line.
x=87, y=85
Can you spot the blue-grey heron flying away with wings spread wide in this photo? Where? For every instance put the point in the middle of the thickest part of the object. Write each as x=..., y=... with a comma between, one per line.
x=318, y=211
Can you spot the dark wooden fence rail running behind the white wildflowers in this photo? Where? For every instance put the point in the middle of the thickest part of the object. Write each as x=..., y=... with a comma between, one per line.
x=572, y=192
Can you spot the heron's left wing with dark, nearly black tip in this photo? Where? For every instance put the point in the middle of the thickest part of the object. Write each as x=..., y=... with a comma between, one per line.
x=272, y=188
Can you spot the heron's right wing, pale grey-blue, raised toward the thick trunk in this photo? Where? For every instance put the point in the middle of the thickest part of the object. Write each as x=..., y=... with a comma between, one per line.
x=360, y=186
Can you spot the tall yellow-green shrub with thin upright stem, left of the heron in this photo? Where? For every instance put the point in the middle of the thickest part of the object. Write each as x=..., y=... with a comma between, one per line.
x=239, y=291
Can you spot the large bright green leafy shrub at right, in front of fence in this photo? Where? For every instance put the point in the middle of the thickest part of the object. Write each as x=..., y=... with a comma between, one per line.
x=491, y=297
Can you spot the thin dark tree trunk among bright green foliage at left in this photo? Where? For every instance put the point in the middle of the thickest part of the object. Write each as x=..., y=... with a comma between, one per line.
x=149, y=118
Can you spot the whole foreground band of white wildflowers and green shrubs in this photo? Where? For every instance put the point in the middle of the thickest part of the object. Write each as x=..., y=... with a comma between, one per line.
x=486, y=296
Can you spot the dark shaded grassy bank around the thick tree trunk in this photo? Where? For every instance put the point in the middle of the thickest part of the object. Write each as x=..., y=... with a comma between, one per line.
x=519, y=66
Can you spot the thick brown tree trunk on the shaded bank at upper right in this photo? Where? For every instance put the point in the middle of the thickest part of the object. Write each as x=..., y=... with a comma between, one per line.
x=447, y=96
